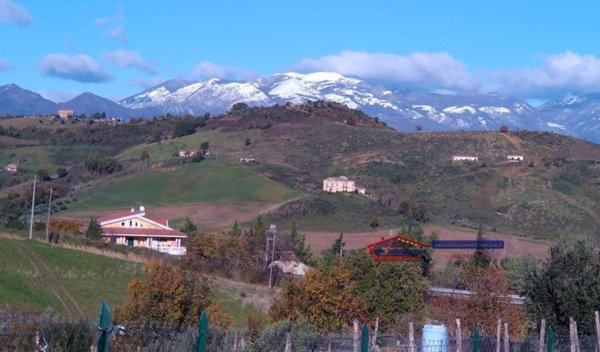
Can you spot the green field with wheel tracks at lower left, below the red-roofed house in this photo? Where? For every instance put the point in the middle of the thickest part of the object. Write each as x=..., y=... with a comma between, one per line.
x=37, y=276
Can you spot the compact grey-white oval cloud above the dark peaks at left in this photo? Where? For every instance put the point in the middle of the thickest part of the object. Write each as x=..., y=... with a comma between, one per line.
x=80, y=68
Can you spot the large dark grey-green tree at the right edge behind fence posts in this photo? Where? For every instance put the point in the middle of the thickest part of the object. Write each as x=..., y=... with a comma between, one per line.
x=566, y=285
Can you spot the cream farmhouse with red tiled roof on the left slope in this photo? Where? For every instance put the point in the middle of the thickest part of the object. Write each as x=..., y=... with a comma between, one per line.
x=134, y=229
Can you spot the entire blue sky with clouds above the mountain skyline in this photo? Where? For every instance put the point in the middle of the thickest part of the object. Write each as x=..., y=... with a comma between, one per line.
x=118, y=48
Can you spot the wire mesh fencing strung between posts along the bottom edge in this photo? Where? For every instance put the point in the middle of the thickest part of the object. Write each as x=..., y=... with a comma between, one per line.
x=48, y=333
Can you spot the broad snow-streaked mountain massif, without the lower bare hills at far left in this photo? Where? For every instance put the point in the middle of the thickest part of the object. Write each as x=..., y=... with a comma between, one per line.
x=401, y=110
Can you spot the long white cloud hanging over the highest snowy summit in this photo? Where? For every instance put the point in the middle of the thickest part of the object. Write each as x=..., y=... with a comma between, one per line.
x=417, y=70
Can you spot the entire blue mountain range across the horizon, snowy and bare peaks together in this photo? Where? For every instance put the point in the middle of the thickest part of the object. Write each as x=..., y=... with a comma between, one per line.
x=572, y=115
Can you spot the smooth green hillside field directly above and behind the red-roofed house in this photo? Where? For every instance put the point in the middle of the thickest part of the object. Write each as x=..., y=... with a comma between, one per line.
x=208, y=181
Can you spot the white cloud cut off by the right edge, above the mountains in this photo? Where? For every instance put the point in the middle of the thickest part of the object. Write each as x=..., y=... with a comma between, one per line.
x=560, y=73
